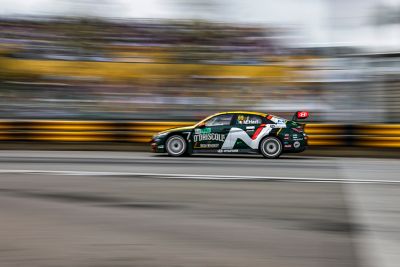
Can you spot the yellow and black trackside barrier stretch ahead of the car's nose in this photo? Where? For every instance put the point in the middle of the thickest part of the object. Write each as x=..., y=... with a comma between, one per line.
x=83, y=131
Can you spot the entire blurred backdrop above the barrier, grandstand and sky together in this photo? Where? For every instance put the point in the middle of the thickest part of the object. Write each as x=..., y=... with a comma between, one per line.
x=182, y=60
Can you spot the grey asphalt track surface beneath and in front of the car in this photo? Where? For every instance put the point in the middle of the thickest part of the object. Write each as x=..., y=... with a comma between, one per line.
x=139, y=209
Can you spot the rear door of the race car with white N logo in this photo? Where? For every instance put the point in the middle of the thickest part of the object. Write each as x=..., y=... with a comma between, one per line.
x=245, y=130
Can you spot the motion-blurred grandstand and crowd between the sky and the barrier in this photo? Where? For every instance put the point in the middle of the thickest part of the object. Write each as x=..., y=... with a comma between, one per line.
x=71, y=68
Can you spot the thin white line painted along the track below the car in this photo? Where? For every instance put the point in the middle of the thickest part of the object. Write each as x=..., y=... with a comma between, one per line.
x=202, y=176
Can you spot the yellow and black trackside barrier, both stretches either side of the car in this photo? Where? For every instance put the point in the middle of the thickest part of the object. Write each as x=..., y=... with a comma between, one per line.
x=377, y=135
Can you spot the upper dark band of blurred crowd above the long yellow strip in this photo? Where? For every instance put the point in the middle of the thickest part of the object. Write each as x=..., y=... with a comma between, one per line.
x=151, y=41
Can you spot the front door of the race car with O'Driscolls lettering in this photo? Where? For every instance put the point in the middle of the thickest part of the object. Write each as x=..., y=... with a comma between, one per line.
x=211, y=135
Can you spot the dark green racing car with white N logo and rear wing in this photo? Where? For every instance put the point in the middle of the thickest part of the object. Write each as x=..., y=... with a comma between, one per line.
x=235, y=132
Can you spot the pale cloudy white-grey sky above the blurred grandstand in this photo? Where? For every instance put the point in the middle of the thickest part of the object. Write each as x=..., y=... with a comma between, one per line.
x=315, y=22
